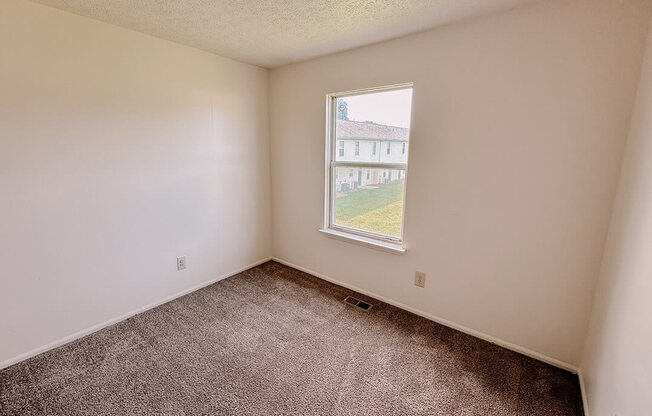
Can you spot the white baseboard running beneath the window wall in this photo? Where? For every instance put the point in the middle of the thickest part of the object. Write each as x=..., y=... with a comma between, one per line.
x=510, y=346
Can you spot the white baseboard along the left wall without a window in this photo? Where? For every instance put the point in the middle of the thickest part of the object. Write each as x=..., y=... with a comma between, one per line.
x=95, y=328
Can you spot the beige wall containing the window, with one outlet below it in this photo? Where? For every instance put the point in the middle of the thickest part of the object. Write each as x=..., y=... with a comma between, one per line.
x=519, y=125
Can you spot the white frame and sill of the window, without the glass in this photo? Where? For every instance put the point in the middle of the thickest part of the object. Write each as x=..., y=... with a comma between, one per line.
x=384, y=242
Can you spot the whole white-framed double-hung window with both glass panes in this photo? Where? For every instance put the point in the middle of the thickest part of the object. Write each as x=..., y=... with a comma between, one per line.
x=370, y=210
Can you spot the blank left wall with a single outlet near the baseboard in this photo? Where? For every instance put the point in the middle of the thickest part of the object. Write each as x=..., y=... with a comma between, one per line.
x=118, y=153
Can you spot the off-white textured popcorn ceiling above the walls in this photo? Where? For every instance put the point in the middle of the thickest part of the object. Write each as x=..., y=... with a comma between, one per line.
x=275, y=32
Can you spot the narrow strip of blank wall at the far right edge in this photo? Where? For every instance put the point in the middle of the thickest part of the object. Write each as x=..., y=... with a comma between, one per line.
x=617, y=362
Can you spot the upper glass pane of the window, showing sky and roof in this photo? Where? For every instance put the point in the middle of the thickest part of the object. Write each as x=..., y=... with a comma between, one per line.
x=367, y=121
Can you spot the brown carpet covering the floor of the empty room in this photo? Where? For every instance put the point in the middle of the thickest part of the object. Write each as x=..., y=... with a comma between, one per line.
x=276, y=341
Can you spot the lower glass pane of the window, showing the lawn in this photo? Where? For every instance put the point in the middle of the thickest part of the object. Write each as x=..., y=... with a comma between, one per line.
x=369, y=199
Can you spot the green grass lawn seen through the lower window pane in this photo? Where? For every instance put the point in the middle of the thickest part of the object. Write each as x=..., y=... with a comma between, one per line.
x=378, y=210
